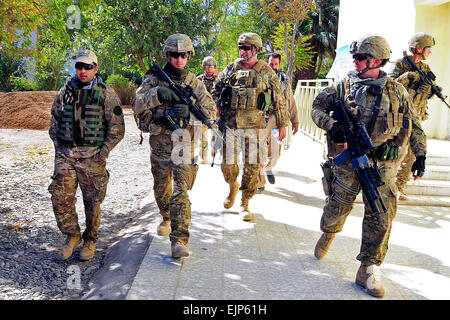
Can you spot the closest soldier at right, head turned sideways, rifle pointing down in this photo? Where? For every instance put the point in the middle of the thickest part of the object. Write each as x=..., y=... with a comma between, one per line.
x=364, y=91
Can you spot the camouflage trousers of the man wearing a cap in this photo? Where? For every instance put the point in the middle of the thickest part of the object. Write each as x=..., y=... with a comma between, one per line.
x=92, y=177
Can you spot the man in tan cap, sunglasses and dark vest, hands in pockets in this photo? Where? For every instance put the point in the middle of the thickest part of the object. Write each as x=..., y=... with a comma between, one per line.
x=87, y=123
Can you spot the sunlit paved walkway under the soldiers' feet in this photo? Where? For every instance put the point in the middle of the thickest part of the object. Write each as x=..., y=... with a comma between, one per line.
x=272, y=258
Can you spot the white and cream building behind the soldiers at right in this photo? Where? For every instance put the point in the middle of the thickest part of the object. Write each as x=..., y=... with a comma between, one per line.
x=397, y=21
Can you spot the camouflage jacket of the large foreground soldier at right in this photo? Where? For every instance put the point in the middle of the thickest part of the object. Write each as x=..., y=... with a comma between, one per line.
x=395, y=104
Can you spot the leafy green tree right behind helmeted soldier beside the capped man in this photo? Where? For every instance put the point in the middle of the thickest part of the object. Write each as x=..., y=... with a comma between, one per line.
x=134, y=31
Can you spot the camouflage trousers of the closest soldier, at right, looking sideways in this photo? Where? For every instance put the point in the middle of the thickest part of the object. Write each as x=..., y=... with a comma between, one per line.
x=376, y=227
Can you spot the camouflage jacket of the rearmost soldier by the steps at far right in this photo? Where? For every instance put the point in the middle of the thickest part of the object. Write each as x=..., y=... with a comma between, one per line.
x=418, y=97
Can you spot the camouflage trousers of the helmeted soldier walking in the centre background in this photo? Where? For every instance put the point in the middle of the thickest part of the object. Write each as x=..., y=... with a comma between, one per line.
x=253, y=148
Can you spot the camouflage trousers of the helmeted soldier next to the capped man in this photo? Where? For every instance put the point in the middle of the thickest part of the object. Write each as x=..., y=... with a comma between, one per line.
x=173, y=201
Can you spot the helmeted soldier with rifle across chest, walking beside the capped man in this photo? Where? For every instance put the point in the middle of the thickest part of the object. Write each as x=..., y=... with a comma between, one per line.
x=153, y=100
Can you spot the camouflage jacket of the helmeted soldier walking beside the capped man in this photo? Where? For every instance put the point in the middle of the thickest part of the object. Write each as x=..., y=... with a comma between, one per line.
x=147, y=107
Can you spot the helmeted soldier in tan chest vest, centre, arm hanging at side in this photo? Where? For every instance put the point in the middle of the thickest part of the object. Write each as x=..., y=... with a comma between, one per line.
x=246, y=91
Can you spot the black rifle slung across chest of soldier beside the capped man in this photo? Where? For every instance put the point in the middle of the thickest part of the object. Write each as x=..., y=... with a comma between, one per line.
x=184, y=95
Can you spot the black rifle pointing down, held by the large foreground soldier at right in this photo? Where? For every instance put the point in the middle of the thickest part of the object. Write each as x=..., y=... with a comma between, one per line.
x=359, y=146
